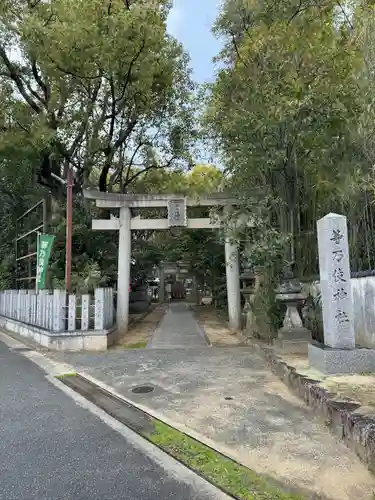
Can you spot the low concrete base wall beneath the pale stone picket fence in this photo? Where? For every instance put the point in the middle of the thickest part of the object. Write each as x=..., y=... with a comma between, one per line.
x=62, y=341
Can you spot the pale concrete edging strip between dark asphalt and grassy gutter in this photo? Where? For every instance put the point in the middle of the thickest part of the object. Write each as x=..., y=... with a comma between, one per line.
x=173, y=468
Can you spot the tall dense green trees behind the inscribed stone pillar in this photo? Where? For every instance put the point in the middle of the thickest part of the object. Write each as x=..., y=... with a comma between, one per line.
x=284, y=112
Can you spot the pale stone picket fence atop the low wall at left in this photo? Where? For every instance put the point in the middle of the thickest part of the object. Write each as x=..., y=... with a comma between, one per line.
x=57, y=312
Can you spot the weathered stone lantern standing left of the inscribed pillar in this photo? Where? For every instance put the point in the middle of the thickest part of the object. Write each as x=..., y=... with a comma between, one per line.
x=293, y=337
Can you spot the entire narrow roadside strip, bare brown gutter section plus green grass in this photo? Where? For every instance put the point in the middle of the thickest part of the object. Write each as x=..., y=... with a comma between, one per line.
x=228, y=475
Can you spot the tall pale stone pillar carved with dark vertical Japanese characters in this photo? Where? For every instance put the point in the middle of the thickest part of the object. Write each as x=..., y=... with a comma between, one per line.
x=335, y=283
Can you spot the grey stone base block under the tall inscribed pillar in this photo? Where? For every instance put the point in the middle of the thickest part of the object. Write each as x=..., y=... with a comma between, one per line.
x=339, y=361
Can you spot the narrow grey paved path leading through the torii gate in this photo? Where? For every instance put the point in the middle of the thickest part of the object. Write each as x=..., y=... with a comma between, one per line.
x=178, y=329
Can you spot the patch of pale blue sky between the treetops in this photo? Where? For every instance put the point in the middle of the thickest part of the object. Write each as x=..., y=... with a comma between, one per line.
x=190, y=22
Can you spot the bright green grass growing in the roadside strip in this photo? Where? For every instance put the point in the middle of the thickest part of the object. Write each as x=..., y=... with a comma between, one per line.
x=235, y=479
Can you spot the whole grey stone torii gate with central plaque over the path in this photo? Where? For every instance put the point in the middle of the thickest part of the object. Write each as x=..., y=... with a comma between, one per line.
x=177, y=217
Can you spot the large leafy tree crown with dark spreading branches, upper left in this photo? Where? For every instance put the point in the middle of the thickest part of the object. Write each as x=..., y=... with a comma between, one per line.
x=94, y=84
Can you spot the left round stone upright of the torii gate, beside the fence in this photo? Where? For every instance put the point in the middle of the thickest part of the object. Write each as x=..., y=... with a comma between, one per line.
x=123, y=280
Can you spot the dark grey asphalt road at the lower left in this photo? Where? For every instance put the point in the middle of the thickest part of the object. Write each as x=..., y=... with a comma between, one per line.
x=52, y=448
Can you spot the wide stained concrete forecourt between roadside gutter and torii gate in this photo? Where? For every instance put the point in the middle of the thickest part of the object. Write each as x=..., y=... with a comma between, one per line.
x=229, y=396
